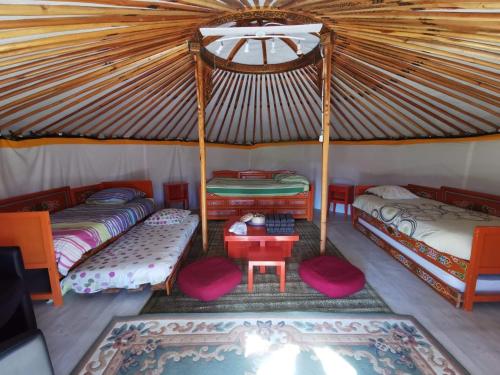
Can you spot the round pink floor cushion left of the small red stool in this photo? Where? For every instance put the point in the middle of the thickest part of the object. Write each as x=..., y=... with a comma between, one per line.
x=210, y=278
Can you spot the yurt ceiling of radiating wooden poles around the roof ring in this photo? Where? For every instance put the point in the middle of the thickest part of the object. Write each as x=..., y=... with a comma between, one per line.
x=122, y=69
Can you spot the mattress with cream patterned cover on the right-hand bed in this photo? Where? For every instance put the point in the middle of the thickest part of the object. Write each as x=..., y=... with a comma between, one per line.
x=448, y=229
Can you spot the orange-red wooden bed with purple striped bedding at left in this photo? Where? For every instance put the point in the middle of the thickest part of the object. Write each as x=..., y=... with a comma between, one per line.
x=56, y=232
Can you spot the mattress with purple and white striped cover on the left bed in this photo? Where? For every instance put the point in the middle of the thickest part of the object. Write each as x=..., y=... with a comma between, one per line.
x=79, y=229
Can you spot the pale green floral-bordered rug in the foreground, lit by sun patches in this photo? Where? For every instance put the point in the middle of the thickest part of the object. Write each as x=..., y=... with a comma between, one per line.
x=267, y=343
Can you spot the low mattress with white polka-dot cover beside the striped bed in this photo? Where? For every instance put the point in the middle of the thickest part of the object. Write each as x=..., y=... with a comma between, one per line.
x=145, y=255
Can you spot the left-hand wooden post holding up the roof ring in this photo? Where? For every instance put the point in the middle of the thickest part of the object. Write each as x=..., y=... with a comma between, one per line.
x=200, y=94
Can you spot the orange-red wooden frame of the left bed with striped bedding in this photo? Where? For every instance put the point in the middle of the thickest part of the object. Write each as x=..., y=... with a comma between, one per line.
x=25, y=222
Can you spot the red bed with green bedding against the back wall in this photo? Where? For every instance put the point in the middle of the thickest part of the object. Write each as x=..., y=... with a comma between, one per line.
x=234, y=193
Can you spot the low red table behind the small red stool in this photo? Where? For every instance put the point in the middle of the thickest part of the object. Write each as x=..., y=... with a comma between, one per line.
x=257, y=239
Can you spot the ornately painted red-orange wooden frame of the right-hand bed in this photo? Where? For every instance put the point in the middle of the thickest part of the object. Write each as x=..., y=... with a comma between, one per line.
x=485, y=252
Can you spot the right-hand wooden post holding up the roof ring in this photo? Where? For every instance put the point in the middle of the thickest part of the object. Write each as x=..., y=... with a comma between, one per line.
x=326, y=44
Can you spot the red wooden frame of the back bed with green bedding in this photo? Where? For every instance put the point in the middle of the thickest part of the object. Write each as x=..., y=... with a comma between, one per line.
x=222, y=208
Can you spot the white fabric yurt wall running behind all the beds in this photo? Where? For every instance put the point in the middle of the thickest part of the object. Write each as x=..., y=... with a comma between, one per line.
x=469, y=165
